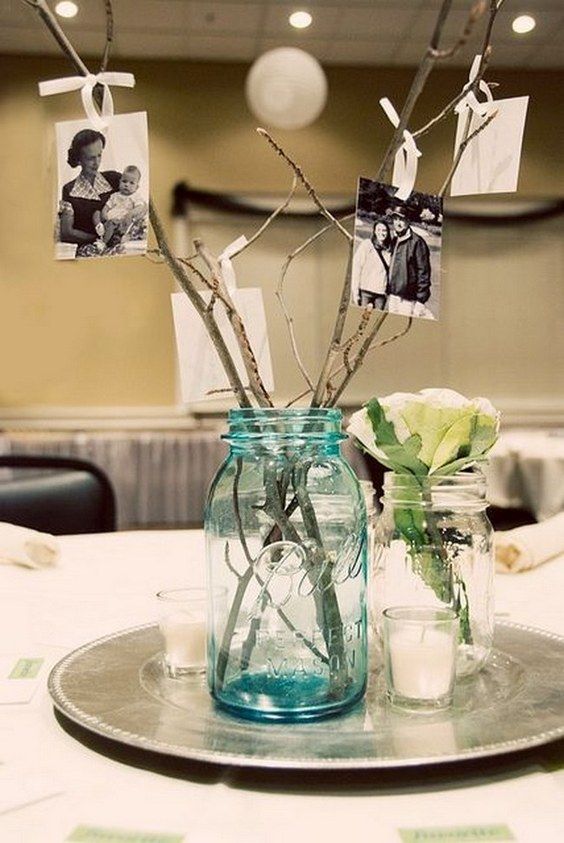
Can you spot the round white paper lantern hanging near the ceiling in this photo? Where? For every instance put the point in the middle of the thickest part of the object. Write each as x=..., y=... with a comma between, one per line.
x=286, y=88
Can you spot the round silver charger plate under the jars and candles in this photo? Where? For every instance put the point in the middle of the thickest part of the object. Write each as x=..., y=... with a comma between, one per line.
x=115, y=687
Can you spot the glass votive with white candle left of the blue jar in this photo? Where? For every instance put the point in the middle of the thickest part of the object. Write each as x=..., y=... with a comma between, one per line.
x=182, y=622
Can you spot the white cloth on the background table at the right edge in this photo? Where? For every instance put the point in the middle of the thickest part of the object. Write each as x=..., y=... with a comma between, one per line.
x=526, y=469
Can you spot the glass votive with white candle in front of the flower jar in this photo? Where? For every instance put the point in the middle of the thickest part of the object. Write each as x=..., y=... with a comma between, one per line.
x=420, y=646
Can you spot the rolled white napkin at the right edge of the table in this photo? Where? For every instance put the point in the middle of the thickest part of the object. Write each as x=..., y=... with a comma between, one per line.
x=526, y=547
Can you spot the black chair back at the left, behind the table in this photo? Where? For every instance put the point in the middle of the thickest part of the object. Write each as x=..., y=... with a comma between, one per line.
x=57, y=495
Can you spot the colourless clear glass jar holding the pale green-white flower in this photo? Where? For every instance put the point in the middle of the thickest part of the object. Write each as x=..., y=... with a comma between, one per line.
x=434, y=548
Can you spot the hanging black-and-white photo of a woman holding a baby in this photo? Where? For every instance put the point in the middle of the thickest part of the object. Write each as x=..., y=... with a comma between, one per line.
x=103, y=188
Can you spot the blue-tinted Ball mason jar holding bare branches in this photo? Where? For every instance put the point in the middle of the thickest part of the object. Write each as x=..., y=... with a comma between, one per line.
x=286, y=536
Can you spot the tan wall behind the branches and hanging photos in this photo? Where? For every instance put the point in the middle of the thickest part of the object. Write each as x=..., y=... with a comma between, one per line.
x=99, y=333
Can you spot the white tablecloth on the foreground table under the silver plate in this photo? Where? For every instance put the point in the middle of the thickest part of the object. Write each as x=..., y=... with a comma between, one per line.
x=106, y=582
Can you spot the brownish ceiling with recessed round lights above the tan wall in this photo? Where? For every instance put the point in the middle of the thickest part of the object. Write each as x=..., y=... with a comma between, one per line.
x=378, y=32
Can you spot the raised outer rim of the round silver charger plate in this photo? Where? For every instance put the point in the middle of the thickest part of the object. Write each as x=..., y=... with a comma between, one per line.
x=90, y=723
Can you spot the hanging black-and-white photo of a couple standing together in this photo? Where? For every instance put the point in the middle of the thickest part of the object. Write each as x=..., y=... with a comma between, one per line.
x=397, y=251
